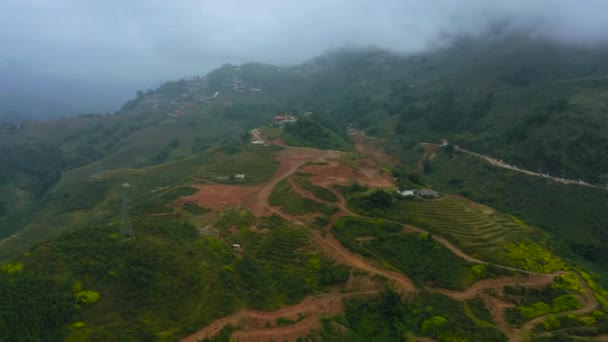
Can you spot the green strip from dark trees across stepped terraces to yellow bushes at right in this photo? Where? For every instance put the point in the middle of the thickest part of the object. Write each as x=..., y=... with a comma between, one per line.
x=477, y=229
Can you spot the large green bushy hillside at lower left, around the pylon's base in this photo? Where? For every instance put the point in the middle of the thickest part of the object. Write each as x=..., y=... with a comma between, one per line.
x=167, y=273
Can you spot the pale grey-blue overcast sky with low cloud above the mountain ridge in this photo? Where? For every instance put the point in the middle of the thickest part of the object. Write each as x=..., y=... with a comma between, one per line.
x=139, y=43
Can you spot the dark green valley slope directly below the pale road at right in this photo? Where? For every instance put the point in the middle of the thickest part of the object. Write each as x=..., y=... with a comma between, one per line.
x=554, y=207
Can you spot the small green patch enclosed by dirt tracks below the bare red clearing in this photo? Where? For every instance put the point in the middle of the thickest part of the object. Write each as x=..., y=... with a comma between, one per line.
x=295, y=204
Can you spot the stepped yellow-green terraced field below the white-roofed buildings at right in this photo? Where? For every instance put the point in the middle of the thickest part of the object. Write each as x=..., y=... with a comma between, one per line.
x=474, y=227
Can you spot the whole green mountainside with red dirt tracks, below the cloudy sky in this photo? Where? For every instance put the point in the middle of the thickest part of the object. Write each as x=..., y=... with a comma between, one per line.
x=164, y=221
